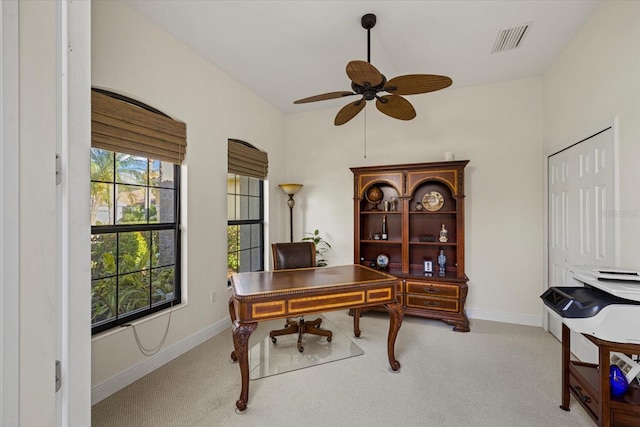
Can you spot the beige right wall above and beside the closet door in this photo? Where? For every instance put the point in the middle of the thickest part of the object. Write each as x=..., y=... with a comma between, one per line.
x=595, y=79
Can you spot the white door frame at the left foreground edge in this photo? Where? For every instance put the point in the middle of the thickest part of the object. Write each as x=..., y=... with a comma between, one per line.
x=73, y=143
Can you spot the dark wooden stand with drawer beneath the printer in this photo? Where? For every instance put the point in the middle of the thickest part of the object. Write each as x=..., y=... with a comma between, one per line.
x=589, y=384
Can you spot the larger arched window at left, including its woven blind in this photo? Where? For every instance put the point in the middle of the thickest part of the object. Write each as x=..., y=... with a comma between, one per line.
x=136, y=153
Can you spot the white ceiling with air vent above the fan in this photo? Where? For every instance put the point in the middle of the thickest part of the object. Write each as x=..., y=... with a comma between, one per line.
x=287, y=50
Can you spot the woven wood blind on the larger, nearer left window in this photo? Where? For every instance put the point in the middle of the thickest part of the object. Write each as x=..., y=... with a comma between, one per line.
x=117, y=125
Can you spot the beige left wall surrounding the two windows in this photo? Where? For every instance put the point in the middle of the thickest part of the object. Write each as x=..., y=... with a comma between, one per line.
x=133, y=57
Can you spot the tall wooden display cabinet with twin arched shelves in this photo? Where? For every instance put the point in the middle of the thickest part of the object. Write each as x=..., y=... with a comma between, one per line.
x=413, y=233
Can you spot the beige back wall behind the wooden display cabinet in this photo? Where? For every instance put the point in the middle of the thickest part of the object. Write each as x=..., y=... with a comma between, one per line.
x=498, y=127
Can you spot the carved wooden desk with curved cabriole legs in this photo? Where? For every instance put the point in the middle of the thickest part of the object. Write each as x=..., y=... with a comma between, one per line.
x=268, y=295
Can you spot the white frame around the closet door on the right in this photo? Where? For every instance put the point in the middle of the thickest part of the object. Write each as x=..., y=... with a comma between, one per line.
x=614, y=125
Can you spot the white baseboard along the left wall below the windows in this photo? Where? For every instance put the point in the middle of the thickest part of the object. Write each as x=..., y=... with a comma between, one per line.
x=107, y=388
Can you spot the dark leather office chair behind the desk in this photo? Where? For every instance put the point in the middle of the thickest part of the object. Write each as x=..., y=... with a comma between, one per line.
x=296, y=255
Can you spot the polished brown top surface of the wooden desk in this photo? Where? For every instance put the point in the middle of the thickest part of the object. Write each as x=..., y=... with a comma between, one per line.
x=306, y=280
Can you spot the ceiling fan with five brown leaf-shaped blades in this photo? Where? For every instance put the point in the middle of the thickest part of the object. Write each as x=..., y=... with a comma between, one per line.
x=367, y=81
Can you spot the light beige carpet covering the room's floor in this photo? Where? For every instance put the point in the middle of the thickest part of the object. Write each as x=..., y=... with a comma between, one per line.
x=497, y=375
